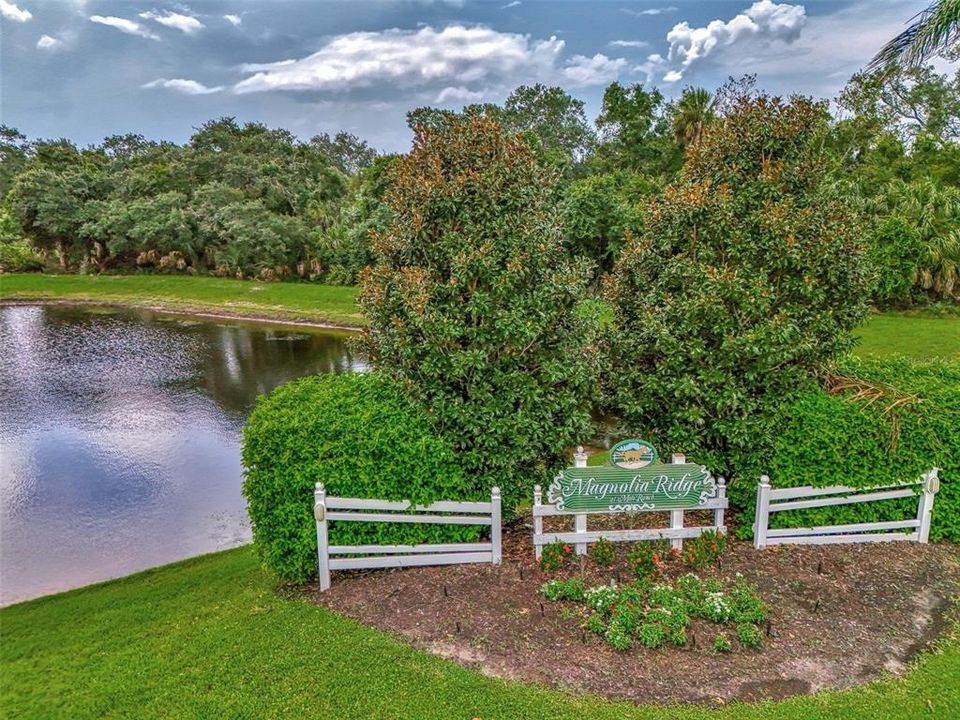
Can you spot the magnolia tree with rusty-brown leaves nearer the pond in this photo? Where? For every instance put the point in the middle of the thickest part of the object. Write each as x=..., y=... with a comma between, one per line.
x=474, y=306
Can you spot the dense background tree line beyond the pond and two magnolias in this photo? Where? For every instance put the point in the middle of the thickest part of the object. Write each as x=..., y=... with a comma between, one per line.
x=248, y=201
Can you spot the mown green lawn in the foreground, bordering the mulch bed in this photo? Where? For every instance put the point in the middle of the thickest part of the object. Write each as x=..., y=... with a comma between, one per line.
x=211, y=637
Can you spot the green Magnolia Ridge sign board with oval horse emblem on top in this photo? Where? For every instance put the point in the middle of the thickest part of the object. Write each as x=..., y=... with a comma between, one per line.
x=647, y=485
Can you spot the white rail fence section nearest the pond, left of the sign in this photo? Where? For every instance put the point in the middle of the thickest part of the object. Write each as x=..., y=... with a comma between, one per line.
x=354, y=557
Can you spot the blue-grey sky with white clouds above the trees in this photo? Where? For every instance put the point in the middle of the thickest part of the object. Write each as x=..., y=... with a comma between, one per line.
x=86, y=69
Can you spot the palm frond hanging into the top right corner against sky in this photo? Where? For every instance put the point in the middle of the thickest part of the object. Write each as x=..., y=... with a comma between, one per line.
x=933, y=31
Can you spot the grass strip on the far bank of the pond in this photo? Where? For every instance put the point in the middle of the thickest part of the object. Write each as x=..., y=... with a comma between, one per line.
x=284, y=301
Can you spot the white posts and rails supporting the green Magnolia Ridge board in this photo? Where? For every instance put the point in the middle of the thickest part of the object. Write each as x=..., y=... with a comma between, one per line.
x=581, y=536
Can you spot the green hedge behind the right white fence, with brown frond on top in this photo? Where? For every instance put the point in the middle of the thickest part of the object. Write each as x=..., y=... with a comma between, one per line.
x=834, y=438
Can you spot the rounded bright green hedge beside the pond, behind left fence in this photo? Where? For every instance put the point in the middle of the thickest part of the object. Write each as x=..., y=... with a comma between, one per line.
x=360, y=436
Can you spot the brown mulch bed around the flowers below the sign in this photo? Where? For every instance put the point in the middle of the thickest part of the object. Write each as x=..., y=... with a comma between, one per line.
x=840, y=615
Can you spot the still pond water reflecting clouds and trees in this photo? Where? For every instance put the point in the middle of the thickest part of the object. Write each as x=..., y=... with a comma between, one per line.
x=120, y=436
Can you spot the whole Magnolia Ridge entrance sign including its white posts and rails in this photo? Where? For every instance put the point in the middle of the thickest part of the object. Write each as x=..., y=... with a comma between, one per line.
x=633, y=481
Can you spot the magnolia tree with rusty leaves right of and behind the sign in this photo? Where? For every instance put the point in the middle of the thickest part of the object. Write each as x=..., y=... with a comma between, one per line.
x=748, y=276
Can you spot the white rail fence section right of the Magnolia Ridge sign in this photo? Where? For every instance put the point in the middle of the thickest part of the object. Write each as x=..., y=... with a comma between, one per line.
x=770, y=500
